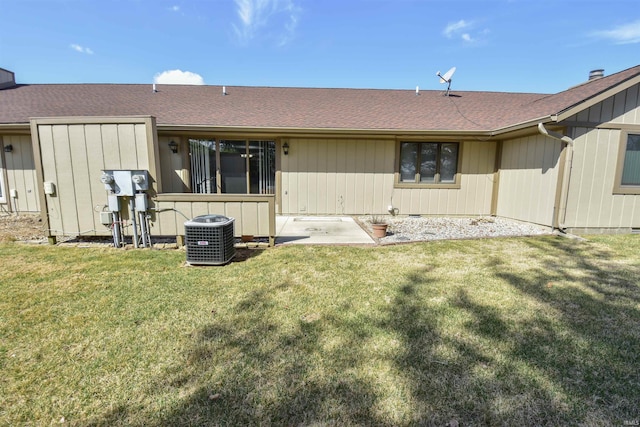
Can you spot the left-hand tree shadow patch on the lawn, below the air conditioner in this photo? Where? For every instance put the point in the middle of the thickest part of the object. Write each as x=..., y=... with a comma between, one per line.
x=272, y=374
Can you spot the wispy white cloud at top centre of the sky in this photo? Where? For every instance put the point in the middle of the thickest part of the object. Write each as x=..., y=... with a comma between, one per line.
x=279, y=16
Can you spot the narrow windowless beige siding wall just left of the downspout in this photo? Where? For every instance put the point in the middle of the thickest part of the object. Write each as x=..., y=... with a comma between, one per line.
x=528, y=179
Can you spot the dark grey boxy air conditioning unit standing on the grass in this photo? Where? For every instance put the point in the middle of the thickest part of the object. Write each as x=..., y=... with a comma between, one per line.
x=209, y=240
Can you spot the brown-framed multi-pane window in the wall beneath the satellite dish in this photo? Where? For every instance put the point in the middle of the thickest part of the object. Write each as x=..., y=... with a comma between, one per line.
x=429, y=163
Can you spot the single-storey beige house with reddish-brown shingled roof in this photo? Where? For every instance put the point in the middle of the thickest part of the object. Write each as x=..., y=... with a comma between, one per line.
x=569, y=160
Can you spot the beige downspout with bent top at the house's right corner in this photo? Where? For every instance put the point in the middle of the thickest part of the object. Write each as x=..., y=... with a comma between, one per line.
x=564, y=177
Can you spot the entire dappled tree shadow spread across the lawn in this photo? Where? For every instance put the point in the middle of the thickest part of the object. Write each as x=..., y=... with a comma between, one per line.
x=574, y=362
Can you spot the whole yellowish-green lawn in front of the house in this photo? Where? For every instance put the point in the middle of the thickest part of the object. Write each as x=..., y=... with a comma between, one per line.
x=535, y=331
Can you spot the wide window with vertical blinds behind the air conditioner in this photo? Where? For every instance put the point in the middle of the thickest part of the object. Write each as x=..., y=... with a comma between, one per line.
x=232, y=166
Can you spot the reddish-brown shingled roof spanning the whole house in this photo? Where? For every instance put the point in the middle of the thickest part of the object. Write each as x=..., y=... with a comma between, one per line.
x=299, y=108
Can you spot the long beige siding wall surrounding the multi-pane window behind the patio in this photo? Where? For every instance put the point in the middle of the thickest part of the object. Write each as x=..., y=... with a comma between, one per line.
x=339, y=176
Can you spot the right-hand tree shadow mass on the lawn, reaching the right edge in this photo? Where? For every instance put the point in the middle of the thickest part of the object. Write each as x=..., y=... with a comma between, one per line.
x=574, y=362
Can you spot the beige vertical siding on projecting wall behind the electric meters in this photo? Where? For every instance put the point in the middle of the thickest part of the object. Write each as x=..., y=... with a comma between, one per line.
x=73, y=156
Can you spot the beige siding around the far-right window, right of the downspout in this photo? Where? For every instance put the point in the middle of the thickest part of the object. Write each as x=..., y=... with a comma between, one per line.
x=591, y=203
